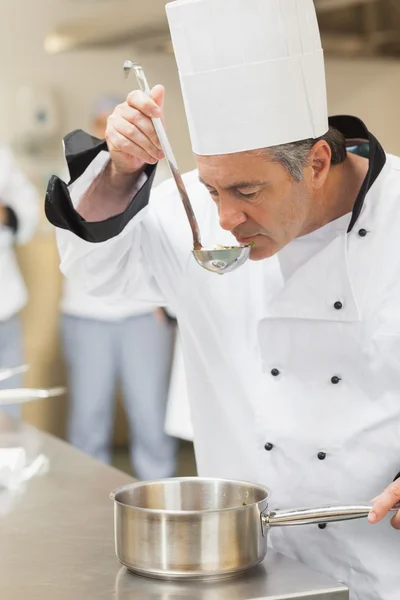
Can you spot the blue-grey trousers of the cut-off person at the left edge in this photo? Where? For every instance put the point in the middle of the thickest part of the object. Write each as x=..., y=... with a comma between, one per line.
x=11, y=355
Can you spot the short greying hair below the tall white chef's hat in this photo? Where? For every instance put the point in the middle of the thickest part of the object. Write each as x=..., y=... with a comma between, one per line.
x=295, y=156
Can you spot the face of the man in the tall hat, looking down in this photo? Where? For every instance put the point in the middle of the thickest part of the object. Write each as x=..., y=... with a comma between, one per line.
x=259, y=201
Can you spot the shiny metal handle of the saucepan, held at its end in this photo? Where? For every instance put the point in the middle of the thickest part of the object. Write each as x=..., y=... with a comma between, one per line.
x=313, y=516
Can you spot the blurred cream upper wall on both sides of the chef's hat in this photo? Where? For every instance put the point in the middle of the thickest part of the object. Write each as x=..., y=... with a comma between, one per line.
x=370, y=89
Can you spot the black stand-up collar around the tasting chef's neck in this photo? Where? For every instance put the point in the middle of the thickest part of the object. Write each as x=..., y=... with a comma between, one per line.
x=354, y=130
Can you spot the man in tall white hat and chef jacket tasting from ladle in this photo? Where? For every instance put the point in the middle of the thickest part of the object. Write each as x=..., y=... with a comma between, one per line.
x=292, y=361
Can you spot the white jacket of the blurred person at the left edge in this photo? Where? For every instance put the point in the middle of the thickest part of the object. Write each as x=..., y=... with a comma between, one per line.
x=20, y=196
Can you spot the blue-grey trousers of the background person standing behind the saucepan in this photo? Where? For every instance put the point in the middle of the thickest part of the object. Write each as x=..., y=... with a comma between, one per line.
x=136, y=352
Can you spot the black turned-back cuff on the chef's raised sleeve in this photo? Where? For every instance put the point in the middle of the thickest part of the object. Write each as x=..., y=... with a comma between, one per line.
x=80, y=150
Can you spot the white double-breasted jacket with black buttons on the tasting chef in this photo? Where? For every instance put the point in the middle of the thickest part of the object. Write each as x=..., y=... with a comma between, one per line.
x=293, y=382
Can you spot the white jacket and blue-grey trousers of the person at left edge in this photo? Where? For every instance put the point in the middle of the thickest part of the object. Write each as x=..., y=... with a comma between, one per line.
x=19, y=217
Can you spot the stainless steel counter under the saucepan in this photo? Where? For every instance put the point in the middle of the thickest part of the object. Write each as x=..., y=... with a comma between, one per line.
x=57, y=544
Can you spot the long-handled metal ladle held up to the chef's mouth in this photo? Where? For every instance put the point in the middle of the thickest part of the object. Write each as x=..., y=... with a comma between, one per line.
x=219, y=260
